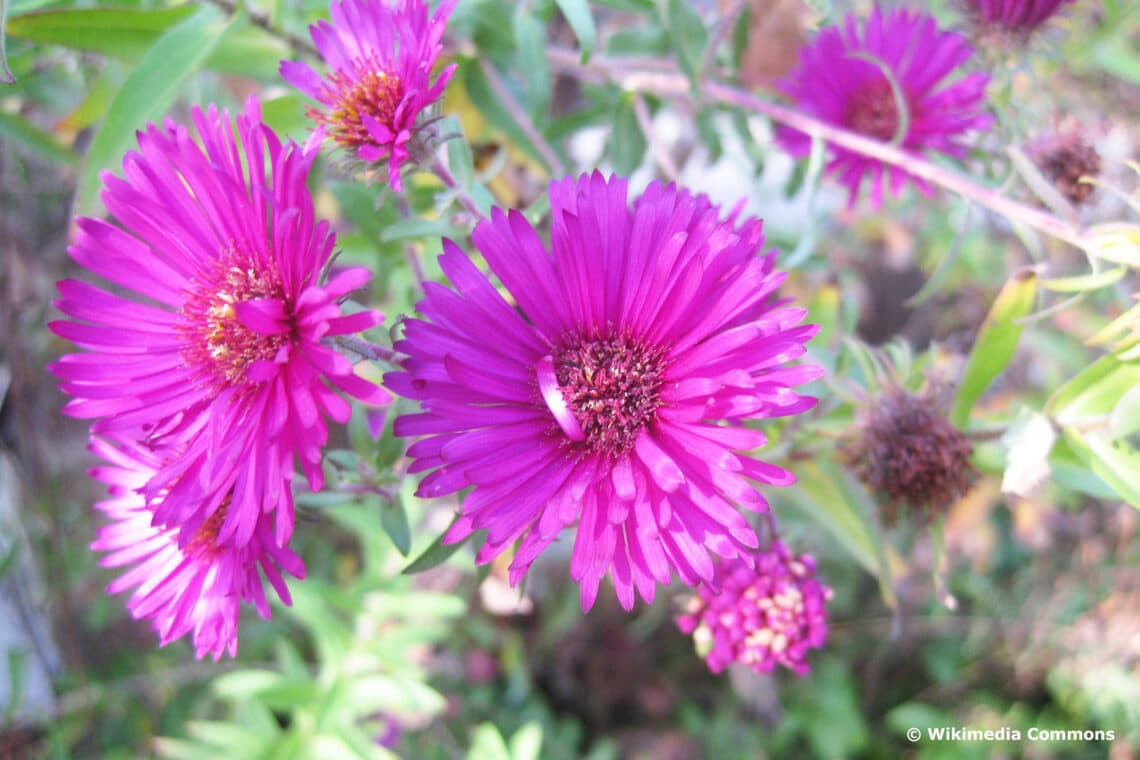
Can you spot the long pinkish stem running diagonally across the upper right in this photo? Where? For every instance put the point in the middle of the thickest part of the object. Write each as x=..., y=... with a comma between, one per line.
x=672, y=84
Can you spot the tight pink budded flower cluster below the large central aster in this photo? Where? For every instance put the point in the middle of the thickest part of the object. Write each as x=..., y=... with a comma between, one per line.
x=767, y=614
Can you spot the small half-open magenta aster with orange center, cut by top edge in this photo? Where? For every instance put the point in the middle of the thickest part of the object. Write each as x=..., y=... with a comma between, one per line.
x=380, y=55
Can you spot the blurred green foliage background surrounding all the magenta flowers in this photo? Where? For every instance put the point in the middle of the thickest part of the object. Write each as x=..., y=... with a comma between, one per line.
x=1017, y=608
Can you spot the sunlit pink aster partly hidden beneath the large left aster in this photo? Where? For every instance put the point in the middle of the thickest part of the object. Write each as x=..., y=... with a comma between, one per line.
x=196, y=587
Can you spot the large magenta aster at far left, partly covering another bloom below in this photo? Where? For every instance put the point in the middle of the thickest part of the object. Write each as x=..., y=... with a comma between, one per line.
x=216, y=341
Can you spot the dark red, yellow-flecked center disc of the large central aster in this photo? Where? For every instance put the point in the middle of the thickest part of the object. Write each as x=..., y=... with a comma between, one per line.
x=613, y=387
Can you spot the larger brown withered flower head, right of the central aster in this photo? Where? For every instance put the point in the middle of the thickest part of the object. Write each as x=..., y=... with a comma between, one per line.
x=908, y=452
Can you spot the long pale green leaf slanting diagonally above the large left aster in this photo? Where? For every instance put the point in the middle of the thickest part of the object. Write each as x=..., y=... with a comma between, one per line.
x=149, y=93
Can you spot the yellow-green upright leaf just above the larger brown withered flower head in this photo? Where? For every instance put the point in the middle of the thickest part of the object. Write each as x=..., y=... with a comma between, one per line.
x=996, y=344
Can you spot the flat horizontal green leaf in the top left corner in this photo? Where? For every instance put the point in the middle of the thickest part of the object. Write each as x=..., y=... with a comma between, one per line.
x=118, y=32
